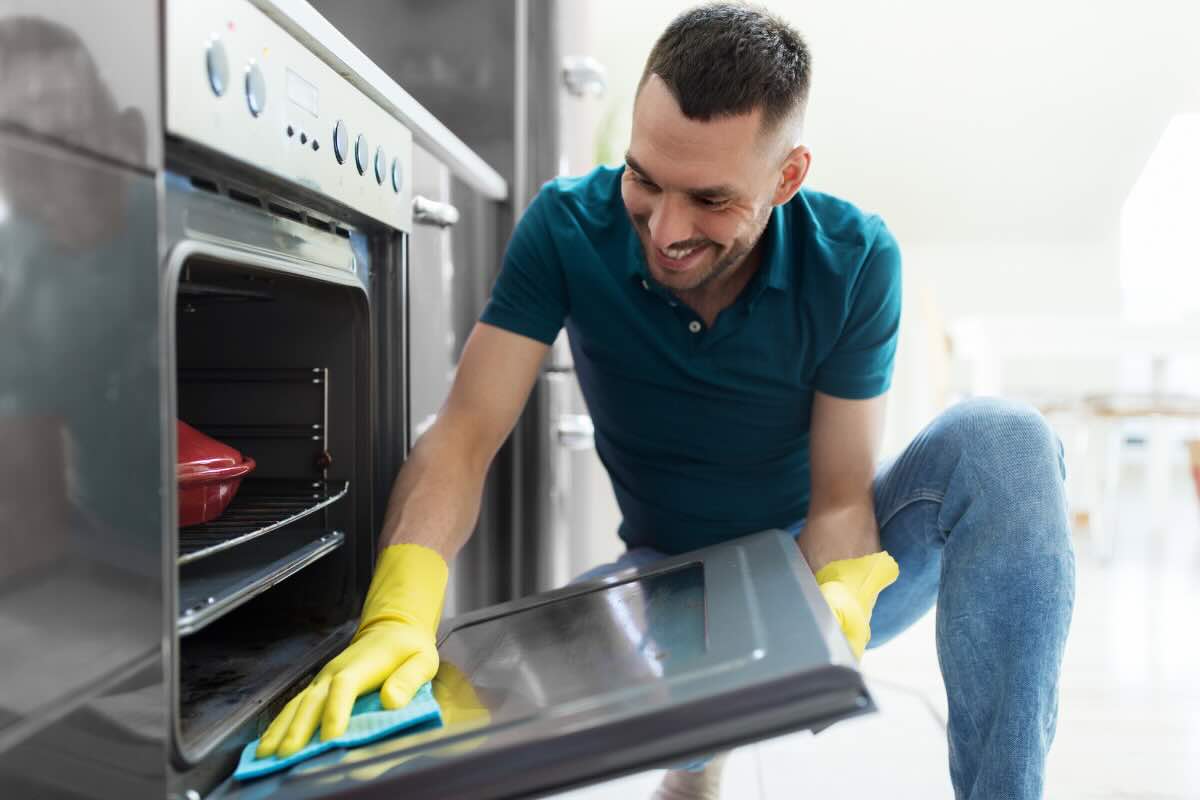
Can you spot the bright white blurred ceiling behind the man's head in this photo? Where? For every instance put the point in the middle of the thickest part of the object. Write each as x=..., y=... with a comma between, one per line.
x=969, y=122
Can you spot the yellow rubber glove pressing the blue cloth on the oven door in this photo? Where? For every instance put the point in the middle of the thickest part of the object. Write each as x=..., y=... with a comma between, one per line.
x=395, y=648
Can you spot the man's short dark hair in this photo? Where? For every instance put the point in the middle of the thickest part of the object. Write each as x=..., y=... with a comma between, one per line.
x=727, y=59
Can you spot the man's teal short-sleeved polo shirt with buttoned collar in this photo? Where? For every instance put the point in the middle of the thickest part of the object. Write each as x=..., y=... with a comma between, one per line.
x=705, y=431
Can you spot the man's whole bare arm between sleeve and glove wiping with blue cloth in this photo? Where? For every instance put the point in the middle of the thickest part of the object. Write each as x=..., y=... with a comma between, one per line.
x=435, y=501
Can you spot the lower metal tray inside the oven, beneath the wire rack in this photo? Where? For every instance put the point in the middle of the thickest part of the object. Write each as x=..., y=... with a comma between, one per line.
x=215, y=587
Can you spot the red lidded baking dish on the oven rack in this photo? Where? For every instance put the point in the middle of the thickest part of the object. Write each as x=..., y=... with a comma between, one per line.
x=209, y=474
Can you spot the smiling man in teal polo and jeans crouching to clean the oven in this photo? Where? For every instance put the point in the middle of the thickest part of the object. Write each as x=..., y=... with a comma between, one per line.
x=734, y=336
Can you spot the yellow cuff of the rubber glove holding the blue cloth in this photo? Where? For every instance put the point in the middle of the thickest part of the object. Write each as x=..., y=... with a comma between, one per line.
x=409, y=587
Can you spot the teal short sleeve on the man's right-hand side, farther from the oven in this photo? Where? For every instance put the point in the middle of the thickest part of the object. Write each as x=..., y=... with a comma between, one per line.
x=860, y=366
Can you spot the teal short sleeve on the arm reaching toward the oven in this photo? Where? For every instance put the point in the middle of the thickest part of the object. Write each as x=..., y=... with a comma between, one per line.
x=530, y=296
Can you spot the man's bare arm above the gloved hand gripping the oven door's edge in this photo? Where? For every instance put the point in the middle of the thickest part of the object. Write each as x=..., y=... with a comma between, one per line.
x=844, y=446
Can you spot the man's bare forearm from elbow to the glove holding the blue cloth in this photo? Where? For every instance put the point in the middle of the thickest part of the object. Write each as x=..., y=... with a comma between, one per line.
x=436, y=498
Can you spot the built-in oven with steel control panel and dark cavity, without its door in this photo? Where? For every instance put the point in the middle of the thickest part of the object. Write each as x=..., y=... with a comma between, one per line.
x=286, y=216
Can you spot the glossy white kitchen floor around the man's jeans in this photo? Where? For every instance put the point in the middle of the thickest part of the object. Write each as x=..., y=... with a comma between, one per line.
x=1130, y=720
